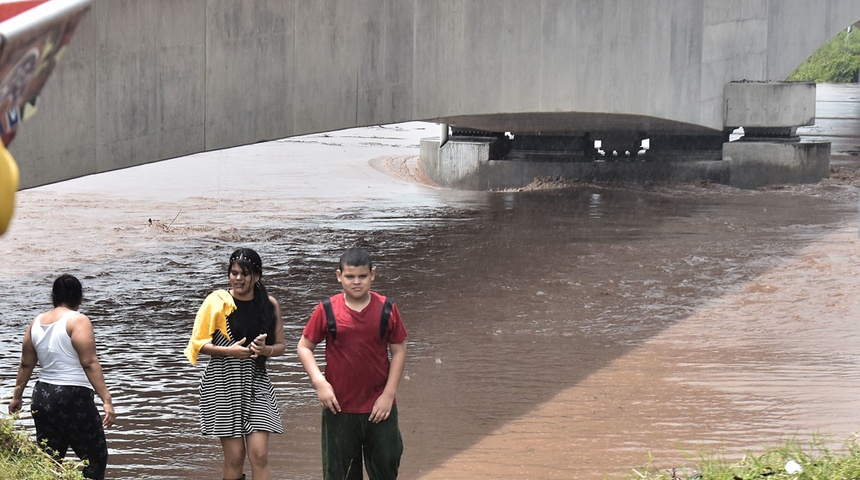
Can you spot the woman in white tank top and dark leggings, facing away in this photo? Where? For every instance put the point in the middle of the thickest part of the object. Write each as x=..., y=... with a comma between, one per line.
x=62, y=342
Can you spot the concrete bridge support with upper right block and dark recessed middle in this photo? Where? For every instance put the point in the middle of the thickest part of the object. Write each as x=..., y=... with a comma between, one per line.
x=768, y=153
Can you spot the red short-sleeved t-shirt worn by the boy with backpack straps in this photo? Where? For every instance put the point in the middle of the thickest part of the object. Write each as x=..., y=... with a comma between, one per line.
x=357, y=361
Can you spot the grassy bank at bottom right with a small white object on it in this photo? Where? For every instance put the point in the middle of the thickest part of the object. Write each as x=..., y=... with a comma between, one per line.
x=789, y=461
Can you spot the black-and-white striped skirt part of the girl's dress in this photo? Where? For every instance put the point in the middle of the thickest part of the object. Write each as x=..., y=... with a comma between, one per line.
x=236, y=396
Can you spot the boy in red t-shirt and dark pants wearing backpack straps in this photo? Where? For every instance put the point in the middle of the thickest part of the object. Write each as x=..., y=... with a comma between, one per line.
x=360, y=382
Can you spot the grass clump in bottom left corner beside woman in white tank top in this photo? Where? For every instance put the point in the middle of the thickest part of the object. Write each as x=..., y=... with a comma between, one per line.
x=21, y=458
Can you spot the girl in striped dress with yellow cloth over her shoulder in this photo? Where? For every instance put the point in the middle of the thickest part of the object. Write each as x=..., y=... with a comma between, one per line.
x=239, y=329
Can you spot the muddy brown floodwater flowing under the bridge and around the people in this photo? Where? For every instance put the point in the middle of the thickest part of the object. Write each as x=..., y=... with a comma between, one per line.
x=553, y=334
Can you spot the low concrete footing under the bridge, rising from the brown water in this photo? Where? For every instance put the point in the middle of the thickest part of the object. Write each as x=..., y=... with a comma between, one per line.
x=745, y=164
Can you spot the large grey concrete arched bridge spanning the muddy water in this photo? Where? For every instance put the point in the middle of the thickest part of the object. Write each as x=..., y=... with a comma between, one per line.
x=148, y=81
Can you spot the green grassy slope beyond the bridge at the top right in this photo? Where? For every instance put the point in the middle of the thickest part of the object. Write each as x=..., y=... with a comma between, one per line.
x=838, y=61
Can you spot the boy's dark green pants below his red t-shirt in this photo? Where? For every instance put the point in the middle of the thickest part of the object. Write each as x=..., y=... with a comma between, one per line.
x=346, y=435
